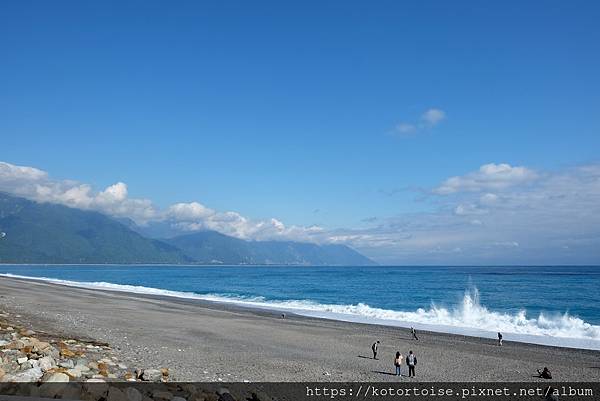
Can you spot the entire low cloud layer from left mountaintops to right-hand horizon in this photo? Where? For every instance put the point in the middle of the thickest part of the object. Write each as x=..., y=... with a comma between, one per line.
x=497, y=213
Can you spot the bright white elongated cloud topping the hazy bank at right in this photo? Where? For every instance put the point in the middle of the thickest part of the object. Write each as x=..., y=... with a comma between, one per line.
x=488, y=177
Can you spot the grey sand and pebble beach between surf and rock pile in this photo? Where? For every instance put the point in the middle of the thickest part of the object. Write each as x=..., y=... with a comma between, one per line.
x=209, y=341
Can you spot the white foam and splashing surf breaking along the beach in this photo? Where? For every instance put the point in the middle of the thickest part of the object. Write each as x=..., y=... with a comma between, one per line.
x=469, y=317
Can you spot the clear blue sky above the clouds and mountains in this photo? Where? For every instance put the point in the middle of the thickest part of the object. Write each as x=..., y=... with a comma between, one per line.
x=294, y=111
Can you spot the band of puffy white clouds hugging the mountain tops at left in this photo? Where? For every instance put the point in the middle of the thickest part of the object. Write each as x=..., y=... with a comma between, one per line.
x=36, y=184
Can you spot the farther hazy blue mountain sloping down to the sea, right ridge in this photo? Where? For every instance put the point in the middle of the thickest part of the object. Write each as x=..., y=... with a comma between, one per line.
x=213, y=247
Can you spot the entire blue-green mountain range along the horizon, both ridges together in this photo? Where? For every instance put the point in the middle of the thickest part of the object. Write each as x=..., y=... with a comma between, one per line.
x=50, y=233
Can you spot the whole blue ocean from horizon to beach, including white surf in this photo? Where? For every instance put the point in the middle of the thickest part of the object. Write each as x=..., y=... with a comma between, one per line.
x=552, y=305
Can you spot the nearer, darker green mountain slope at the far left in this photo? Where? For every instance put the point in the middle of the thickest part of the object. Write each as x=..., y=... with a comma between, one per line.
x=48, y=233
